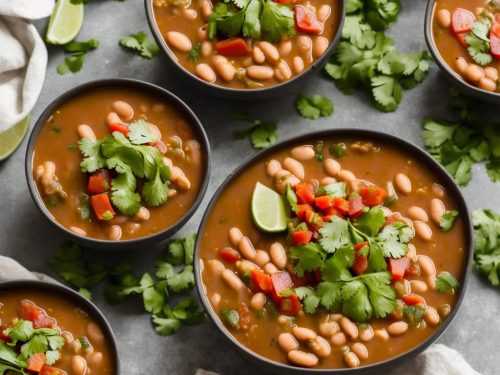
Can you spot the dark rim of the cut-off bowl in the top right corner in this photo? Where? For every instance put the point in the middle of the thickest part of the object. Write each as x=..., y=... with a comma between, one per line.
x=463, y=86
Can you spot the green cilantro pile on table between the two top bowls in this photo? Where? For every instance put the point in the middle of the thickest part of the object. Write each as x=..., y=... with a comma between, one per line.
x=365, y=56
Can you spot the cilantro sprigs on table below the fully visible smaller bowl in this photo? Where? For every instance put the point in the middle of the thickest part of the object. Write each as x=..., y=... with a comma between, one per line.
x=174, y=275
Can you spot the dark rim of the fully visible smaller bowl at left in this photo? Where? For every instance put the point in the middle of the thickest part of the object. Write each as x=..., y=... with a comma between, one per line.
x=147, y=87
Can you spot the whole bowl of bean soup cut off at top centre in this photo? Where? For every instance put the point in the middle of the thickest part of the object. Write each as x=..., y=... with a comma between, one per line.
x=246, y=49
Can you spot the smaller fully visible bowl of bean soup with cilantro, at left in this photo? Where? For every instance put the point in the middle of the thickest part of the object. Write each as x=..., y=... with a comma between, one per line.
x=118, y=163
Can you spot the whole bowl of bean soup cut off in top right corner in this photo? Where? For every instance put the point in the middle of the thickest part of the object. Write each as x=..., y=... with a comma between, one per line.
x=464, y=38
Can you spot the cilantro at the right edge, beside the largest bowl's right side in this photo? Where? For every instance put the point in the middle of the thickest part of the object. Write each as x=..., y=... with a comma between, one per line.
x=487, y=244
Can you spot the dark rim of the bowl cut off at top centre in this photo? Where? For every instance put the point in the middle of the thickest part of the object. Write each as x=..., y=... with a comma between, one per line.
x=270, y=90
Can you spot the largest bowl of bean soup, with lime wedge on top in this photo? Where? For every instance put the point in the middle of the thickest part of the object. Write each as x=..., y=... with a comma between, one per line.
x=363, y=269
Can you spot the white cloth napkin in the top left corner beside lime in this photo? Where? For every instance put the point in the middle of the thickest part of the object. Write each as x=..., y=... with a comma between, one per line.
x=23, y=58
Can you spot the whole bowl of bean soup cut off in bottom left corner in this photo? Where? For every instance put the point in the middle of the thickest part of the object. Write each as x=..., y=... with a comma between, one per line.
x=49, y=329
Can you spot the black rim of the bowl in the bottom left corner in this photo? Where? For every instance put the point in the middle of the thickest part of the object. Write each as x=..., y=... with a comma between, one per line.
x=77, y=299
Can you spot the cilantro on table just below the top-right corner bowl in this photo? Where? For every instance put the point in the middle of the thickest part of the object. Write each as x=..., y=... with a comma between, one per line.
x=461, y=143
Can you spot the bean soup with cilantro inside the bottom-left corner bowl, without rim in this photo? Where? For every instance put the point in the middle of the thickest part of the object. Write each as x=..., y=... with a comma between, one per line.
x=77, y=345
